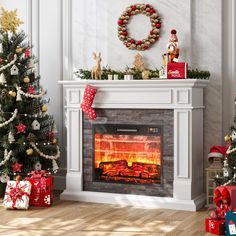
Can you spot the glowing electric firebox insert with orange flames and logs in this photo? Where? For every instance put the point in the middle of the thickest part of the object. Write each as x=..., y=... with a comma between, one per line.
x=127, y=153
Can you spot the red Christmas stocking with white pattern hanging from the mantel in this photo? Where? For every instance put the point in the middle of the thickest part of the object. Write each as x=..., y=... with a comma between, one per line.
x=89, y=94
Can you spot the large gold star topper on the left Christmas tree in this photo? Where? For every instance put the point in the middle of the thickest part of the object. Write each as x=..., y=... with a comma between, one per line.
x=9, y=21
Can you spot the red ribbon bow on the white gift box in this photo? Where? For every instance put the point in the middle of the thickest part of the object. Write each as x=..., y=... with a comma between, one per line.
x=16, y=192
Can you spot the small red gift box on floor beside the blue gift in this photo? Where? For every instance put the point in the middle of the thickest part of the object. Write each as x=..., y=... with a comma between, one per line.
x=215, y=226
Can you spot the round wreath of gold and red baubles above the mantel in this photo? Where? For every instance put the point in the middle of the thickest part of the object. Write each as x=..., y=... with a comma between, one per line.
x=153, y=36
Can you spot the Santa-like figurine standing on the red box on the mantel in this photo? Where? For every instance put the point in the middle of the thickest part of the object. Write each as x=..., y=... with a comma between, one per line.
x=172, y=46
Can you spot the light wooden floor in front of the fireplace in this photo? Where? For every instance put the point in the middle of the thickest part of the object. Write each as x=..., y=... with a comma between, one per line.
x=90, y=219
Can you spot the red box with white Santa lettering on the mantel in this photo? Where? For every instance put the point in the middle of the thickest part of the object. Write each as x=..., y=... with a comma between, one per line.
x=177, y=70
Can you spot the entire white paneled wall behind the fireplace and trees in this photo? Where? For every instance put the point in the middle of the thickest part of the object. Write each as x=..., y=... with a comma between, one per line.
x=65, y=33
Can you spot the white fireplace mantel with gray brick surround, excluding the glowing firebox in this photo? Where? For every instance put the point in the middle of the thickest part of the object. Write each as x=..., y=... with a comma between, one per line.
x=176, y=105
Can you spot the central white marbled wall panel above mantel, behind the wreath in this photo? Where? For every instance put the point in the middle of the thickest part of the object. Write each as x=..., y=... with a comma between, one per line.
x=94, y=28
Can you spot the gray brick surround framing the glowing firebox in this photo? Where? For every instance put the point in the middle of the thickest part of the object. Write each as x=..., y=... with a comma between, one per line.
x=165, y=118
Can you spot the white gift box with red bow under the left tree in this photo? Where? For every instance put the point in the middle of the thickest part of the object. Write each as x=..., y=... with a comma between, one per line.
x=17, y=195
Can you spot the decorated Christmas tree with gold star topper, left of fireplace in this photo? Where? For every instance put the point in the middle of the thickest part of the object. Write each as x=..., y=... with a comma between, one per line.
x=27, y=133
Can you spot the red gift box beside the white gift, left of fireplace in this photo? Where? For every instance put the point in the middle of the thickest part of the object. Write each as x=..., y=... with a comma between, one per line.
x=42, y=186
